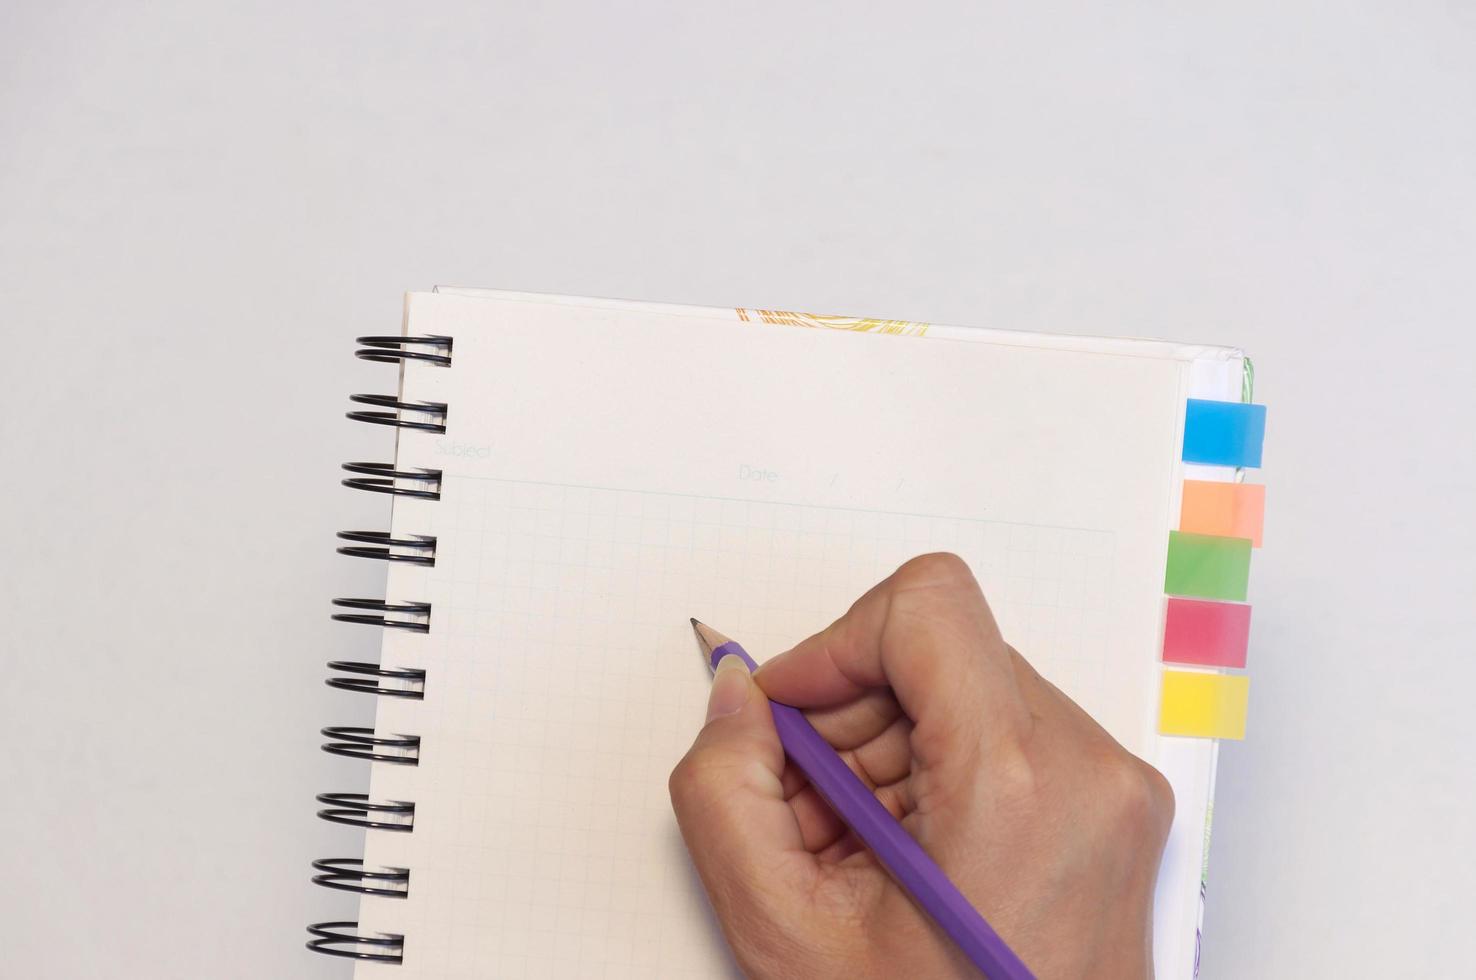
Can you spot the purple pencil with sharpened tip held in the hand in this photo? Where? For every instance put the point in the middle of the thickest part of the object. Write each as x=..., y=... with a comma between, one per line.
x=860, y=810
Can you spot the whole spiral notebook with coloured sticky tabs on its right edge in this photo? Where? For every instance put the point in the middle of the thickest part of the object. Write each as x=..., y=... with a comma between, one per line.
x=573, y=479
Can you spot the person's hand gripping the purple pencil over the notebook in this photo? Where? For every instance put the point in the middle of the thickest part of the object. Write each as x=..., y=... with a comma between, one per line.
x=1049, y=826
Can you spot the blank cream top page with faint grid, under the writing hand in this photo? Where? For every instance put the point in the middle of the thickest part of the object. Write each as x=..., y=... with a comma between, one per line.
x=610, y=473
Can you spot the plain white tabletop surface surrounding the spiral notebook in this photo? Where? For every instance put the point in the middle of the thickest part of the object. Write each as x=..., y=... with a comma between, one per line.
x=201, y=204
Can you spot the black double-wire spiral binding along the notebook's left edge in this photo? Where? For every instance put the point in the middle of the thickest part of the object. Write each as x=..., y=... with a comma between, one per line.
x=356, y=810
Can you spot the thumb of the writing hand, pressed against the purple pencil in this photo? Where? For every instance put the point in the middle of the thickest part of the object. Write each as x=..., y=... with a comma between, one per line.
x=730, y=801
